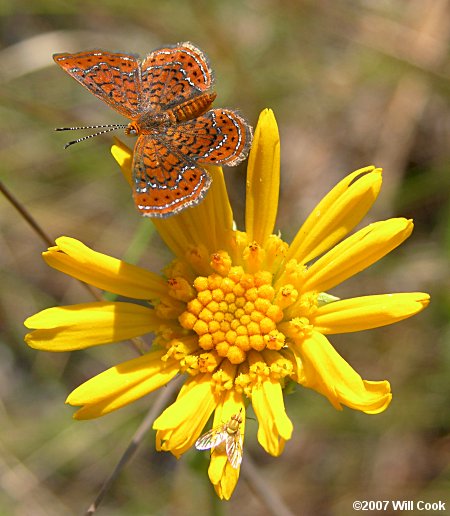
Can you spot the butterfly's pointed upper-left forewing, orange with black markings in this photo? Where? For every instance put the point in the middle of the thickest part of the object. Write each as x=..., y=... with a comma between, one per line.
x=112, y=77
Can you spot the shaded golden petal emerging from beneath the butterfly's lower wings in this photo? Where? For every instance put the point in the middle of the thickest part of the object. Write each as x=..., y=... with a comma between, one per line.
x=206, y=224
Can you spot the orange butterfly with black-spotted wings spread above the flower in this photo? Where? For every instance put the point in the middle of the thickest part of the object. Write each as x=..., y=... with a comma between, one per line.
x=167, y=98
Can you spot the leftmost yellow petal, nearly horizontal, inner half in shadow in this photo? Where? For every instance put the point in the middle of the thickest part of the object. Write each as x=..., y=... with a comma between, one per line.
x=80, y=326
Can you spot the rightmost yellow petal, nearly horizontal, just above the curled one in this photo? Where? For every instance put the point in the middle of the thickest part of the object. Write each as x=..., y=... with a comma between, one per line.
x=363, y=313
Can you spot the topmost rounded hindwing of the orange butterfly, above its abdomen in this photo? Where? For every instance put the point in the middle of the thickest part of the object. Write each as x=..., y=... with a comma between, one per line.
x=172, y=75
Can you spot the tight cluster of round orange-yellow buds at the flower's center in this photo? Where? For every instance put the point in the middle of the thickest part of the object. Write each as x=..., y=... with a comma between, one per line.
x=234, y=312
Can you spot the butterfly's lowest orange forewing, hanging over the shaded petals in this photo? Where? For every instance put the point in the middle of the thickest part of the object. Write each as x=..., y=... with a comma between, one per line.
x=165, y=182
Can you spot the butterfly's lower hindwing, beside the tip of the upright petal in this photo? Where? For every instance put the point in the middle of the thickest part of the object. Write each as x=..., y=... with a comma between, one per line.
x=219, y=137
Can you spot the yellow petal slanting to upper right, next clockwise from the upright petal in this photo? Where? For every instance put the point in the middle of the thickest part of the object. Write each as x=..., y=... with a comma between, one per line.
x=336, y=214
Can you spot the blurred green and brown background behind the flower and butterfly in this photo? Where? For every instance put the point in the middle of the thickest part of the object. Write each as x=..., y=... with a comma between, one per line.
x=352, y=83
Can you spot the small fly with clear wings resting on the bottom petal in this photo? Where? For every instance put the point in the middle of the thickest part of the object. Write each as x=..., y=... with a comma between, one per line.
x=228, y=433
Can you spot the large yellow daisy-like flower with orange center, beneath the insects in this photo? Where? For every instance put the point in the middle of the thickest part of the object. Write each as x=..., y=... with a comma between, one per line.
x=238, y=313
